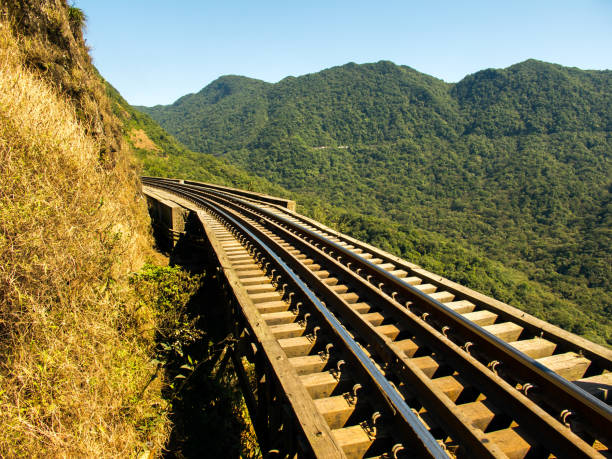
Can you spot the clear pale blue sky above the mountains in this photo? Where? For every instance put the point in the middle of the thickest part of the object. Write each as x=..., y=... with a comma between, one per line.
x=155, y=51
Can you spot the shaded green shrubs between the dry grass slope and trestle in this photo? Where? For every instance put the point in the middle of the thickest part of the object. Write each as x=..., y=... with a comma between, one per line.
x=206, y=407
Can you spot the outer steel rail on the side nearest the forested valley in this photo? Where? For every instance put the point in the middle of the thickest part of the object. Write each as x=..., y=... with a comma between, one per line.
x=559, y=382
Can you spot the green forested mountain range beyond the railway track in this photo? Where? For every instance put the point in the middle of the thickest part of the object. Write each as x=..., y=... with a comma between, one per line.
x=512, y=162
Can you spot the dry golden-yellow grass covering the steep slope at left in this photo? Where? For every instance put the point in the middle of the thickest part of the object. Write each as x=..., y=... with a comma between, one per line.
x=74, y=377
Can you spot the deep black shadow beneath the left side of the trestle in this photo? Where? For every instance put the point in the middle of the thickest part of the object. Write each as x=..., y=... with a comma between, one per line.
x=206, y=403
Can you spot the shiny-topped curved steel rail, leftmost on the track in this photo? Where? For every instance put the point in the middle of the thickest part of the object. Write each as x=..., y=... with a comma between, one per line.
x=425, y=442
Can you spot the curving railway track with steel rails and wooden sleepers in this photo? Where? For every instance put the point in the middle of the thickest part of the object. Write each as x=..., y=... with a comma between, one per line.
x=398, y=361
